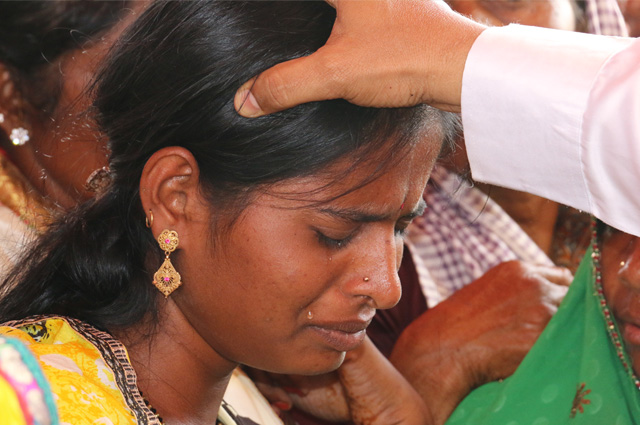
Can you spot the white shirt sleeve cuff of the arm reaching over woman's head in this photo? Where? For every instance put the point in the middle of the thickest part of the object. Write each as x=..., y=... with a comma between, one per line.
x=557, y=114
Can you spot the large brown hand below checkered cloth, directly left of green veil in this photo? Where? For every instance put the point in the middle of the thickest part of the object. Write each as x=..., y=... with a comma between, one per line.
x=480, y=334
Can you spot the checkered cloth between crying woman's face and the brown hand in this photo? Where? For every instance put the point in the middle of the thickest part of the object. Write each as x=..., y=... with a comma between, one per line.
x=461, y=235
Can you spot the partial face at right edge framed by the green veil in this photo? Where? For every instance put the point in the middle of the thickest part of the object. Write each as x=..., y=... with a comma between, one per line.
x=621, y=284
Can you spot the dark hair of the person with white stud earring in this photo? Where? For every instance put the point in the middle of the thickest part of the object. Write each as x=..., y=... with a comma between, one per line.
x=33, y=34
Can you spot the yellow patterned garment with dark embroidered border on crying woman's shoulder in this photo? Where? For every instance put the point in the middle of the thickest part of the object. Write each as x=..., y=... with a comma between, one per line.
x=84, y=384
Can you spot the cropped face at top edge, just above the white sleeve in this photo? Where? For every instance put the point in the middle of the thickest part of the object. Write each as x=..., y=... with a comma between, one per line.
x=557, y=14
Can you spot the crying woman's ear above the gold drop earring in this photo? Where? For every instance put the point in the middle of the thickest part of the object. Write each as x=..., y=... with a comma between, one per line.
x=169, y=190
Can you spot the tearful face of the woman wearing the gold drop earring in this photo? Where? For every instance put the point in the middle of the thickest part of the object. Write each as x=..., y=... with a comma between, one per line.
x=296, y=281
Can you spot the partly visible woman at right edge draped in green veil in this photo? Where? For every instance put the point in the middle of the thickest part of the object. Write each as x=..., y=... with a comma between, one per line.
x=584, y=367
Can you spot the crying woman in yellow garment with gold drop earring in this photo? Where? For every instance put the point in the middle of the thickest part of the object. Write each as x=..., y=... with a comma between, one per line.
x=287, y=229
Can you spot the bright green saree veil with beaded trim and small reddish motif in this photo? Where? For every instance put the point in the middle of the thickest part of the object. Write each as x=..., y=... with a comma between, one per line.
x=576, y=373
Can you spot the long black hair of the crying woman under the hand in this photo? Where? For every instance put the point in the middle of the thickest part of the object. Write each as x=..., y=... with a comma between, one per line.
x=170, y=81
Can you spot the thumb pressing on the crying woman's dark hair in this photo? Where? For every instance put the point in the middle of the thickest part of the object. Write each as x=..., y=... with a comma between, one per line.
x=284, y=86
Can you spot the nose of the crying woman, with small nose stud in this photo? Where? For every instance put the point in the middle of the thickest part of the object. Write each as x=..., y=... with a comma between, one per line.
x=379, y=281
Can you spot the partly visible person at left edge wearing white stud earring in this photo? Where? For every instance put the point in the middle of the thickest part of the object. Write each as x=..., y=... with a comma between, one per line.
x=50, y=153
